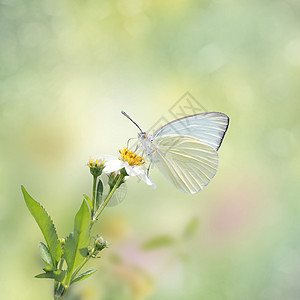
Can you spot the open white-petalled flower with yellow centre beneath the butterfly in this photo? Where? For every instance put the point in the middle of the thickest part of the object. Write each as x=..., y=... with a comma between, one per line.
x=132, y=164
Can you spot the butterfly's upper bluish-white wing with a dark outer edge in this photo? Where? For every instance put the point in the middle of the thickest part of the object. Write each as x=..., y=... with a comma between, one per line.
x=209, y=127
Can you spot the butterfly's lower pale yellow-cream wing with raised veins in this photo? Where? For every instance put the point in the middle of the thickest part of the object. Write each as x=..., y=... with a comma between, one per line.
x=186, y=162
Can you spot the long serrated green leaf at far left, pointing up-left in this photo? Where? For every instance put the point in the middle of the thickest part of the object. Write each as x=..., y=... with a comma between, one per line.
x=46, y=225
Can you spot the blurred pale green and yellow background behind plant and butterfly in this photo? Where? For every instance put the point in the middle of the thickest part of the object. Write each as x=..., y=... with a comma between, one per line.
x=67, y=68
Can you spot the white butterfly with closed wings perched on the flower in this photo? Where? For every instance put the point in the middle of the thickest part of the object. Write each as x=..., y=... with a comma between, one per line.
x=185, y=150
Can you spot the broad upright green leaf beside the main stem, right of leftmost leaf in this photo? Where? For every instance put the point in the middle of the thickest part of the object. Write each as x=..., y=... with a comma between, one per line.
x=77, y=243
